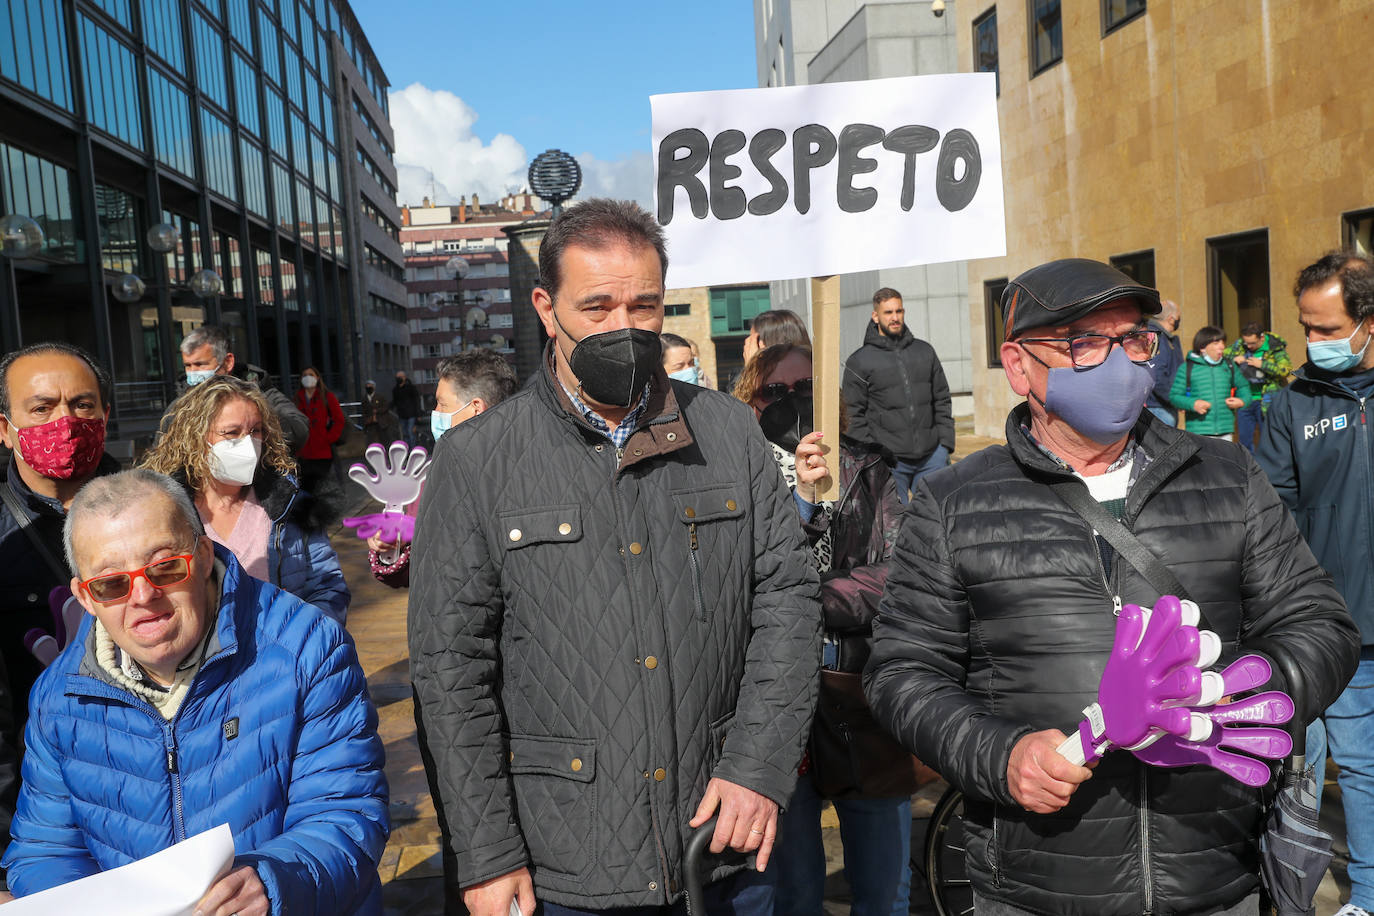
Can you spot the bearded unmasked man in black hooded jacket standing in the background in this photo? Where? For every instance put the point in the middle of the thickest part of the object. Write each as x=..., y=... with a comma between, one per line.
x=898, y=398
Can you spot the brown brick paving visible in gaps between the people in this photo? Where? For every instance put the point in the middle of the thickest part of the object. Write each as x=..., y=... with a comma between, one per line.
x=410, y=867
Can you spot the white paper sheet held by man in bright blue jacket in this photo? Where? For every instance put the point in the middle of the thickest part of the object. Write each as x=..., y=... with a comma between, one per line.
x=167, y=884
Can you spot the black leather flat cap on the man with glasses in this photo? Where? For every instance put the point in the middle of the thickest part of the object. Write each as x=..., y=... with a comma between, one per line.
x=1064, y=292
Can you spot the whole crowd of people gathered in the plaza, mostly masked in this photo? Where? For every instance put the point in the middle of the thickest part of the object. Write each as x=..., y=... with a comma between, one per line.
x=637, y=610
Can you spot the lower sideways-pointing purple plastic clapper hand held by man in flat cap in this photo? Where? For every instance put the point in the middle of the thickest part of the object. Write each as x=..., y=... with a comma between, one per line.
x=1240, y=726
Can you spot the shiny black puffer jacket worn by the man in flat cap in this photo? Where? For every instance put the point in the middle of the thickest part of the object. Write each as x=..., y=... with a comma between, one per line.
x=998, y=621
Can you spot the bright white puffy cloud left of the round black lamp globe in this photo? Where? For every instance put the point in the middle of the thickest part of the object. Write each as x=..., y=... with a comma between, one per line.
x=439, y=157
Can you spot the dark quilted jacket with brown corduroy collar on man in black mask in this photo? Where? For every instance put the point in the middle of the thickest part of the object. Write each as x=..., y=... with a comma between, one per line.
x=594, y=638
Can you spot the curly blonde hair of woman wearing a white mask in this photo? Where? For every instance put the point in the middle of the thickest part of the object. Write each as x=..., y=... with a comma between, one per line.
x=183, y=447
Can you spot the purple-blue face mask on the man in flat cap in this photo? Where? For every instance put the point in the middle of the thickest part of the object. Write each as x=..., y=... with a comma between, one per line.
x=1103, y=403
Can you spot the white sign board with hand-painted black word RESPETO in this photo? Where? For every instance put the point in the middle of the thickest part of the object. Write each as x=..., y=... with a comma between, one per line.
x=798, y=182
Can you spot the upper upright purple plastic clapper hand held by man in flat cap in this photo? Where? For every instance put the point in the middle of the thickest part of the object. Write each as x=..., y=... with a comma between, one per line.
x=1152, y=669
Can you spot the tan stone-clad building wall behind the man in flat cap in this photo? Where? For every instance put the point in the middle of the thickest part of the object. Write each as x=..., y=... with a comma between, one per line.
x=1191, y=123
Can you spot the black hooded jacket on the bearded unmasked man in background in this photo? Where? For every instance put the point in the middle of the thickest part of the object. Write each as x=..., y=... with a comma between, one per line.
x=898, y=398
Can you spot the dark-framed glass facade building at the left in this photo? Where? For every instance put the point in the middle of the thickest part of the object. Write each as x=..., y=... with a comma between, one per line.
x=243, y=124
